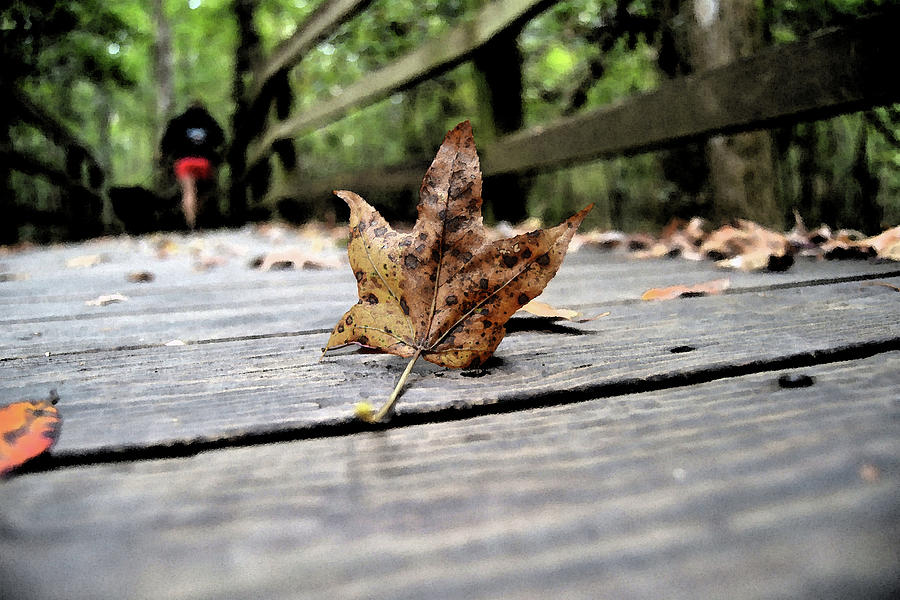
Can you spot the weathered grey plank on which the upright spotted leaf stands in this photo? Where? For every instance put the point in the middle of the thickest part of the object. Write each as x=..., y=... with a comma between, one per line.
x=236, y=389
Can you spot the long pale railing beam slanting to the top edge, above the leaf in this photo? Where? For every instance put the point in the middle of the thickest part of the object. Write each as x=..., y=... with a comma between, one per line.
x=431, y=58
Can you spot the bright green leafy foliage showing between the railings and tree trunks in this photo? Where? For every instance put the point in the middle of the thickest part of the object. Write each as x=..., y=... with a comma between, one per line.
x=91, y=64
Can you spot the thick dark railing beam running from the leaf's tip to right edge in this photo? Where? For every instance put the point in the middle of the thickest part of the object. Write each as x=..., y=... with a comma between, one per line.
x=829, y=74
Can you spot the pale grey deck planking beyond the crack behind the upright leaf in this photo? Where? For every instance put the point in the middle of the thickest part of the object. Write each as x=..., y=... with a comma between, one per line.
x=47, y=313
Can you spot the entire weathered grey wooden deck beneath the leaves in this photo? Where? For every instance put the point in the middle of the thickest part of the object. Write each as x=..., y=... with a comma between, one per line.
x=207, y=453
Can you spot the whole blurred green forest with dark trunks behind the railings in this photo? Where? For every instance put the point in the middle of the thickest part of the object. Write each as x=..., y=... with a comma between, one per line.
x=93, y=84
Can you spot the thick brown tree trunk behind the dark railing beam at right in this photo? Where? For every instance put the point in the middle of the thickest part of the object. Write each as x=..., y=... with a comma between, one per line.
x=741, y=166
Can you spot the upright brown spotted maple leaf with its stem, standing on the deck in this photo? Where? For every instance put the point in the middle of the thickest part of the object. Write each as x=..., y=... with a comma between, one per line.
x=443, y=291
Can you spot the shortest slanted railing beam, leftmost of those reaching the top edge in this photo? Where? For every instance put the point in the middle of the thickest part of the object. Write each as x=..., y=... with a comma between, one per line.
x=321, y=23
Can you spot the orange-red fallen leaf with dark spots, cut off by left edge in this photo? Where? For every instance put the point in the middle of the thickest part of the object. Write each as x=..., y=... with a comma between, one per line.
x=27, y=429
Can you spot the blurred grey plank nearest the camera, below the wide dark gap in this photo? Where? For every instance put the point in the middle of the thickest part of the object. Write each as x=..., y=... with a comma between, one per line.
x=731, y=489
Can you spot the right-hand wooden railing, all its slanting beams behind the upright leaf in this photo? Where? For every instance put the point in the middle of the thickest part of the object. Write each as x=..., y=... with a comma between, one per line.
x=831, y=73
